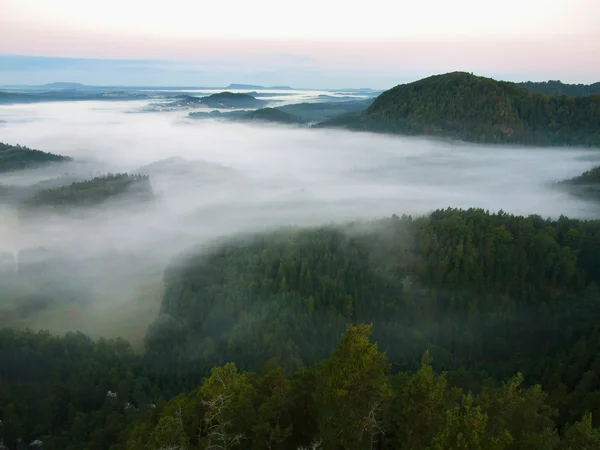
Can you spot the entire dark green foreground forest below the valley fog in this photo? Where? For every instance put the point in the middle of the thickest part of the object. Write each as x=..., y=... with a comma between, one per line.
x=485, y=328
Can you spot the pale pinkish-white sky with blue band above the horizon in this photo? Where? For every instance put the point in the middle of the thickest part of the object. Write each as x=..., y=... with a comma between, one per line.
x=312, y=44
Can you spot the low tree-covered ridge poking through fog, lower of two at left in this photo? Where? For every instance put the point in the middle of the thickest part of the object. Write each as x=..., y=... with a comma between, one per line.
x=94, y=191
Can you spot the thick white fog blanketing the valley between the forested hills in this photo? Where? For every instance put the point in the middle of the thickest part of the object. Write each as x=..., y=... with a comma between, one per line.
x=228, y=178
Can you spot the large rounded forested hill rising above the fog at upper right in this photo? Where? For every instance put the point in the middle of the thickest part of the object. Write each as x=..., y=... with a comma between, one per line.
x=463, y=106
